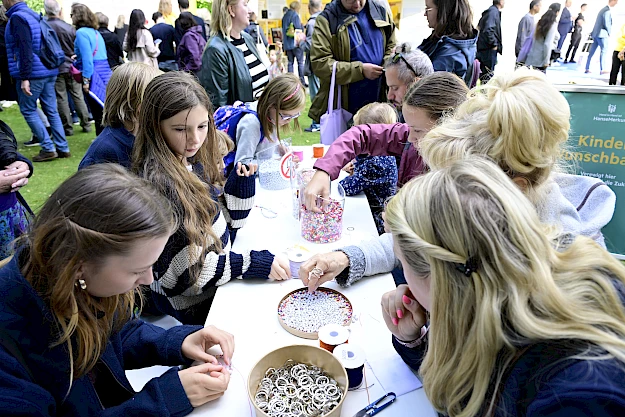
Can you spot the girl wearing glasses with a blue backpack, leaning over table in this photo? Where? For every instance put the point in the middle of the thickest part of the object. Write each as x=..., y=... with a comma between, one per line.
x=256, y=126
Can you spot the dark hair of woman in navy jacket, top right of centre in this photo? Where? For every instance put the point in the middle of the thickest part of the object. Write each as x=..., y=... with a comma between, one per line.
x=454, y=19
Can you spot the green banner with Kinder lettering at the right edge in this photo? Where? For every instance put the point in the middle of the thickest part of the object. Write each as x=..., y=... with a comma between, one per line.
x=597, y=149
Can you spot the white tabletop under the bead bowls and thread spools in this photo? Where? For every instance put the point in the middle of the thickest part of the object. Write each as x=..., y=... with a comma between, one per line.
x=248, y=310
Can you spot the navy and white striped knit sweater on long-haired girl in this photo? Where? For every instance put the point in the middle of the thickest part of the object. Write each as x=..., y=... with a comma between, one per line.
x=173, y=291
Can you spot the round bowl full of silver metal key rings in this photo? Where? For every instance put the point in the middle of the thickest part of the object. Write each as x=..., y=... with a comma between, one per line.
x=298, y=380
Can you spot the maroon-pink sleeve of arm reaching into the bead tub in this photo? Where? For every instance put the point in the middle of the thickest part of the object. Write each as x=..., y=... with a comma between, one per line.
x=373, y=140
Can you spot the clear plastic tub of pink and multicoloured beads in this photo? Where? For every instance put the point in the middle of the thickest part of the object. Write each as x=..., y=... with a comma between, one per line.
x=325, y=226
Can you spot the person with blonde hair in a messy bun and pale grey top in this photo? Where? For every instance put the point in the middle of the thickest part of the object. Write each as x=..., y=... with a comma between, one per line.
x=522, y=122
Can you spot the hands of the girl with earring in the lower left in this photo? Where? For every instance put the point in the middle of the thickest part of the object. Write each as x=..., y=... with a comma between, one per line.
x=206, y=382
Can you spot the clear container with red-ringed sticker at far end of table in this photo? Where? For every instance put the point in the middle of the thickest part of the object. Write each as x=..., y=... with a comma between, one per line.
x=273, y=166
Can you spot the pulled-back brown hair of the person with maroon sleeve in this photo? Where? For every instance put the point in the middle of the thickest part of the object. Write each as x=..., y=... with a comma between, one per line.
x=438, y=94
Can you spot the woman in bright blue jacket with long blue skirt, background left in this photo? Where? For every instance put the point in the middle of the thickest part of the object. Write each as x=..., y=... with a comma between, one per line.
x=92, y=60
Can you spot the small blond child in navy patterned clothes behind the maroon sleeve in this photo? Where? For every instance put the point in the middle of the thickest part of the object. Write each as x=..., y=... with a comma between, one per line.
x=376, y=176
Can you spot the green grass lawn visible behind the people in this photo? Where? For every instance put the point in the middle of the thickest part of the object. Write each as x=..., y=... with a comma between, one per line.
x=48, y=175
